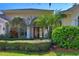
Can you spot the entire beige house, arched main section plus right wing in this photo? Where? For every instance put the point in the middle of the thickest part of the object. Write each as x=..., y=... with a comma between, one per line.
x=29, y=15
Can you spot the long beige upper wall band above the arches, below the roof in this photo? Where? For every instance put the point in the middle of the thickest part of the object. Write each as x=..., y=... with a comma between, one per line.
x=26, y=12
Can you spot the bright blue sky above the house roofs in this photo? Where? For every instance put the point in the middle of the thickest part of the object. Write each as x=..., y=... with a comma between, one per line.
x=54, y=6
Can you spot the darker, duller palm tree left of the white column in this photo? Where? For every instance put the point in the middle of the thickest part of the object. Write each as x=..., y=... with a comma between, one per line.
x=16, y=24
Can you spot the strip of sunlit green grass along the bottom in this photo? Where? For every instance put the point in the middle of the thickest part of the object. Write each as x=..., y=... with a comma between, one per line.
x=50, y=53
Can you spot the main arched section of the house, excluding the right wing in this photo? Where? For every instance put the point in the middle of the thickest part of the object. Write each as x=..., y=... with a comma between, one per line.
x=28, y=15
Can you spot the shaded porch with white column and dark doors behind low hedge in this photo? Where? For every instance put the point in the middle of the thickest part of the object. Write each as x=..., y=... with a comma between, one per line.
x=29, y=32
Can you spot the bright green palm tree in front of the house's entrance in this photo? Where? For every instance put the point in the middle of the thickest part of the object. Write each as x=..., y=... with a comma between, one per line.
x=51, y=21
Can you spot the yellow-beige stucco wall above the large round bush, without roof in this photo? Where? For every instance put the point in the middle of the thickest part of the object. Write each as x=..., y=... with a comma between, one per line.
x=72, y=17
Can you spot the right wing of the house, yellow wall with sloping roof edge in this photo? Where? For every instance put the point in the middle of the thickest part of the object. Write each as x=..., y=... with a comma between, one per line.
x=72, y=16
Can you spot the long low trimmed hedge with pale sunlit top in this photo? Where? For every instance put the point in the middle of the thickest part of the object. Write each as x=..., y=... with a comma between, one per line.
x=27, y=45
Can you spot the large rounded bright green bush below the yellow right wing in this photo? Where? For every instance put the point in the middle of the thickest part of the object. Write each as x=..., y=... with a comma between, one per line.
x=66, y=37
